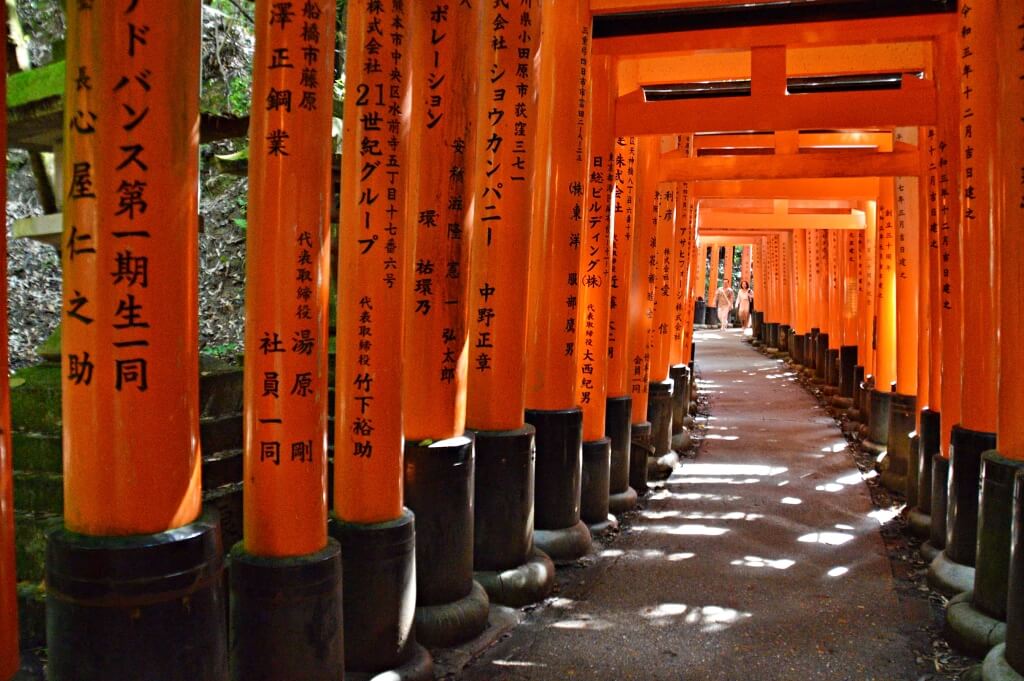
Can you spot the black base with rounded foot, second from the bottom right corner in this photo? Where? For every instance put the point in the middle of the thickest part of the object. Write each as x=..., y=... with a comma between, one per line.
x=976, y=621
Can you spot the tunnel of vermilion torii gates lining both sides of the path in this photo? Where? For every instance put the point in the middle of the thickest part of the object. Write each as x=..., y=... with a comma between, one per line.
x=526, y=212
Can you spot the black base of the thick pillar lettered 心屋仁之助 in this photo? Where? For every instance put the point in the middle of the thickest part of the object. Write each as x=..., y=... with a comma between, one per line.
x=143, y=608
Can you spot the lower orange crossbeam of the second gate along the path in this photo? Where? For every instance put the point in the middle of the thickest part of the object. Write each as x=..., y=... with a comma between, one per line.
x=792, y=166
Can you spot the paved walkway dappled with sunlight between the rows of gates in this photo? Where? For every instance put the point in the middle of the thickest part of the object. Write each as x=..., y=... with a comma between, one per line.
x=761, y=560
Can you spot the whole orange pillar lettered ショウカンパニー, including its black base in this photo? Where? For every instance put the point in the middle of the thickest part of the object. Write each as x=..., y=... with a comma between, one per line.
x=499, y=274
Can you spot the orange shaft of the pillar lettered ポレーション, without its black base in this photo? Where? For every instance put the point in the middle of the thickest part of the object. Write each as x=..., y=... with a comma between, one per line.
x=444, y=110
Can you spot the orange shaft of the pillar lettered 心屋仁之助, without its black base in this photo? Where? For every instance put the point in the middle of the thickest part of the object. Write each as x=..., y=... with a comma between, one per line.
x=131, y=337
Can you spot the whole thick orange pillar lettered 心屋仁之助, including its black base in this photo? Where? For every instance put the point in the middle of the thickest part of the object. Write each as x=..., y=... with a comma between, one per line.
x=131, y=403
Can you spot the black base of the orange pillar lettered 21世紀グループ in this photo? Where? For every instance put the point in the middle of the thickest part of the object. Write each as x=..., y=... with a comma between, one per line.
x=379, y=594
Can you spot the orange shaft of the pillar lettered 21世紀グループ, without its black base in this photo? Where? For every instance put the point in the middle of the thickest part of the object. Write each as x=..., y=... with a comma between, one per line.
x=371, y=250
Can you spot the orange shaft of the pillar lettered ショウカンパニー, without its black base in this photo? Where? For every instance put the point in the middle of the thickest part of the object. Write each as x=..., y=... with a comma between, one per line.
x=506, y=117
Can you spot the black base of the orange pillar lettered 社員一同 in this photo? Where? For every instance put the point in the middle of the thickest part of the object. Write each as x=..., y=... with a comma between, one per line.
x=300, y=595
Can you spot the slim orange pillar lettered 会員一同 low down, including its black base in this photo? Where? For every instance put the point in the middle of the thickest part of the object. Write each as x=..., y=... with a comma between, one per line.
x=642, y=307
